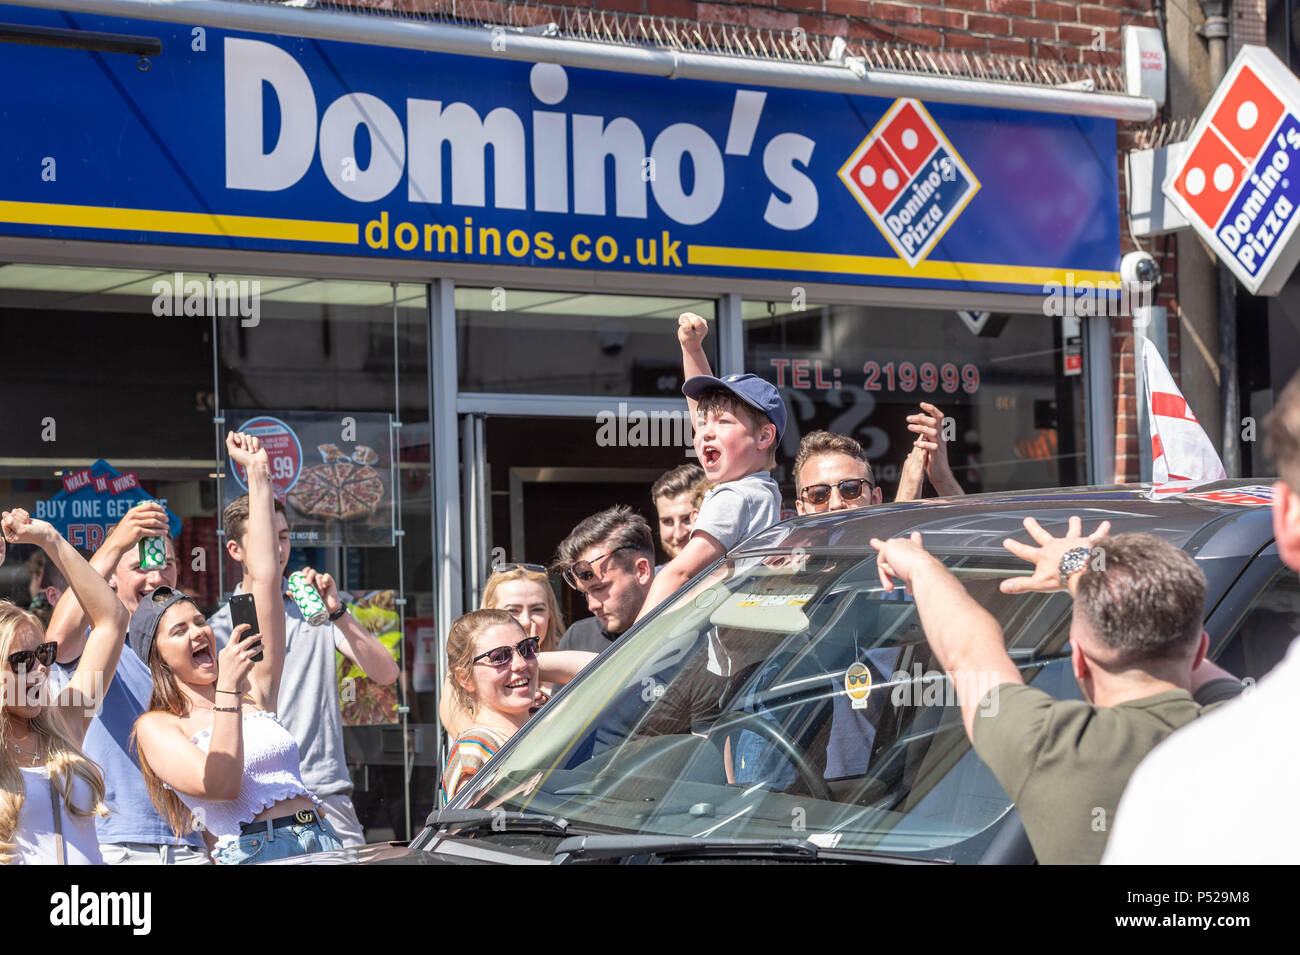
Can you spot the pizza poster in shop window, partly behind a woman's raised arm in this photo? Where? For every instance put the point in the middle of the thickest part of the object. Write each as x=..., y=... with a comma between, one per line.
x=333, y=472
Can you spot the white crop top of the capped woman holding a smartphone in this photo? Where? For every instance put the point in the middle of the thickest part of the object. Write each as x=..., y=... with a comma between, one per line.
x=271, y=775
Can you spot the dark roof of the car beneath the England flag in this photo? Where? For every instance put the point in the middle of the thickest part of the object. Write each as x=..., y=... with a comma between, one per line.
x=981, y=523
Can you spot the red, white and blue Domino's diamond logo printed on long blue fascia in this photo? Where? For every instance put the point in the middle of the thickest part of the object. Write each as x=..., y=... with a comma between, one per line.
x=909, y=180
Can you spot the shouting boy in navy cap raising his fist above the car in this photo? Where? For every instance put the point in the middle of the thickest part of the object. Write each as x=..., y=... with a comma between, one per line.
x=739, y=422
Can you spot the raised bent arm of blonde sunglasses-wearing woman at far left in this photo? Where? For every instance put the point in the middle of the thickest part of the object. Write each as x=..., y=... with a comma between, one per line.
x=85, y=692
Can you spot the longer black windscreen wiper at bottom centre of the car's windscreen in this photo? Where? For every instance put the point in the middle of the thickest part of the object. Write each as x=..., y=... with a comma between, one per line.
x=604, y=849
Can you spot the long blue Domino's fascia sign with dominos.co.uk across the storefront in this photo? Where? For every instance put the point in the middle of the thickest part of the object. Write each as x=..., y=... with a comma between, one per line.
x=257, y=142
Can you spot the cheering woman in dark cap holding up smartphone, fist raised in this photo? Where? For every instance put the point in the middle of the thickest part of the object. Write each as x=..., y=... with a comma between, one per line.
x=211, y=749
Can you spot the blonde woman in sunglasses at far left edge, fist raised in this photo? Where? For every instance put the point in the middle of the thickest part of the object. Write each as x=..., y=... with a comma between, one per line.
x=50, y=793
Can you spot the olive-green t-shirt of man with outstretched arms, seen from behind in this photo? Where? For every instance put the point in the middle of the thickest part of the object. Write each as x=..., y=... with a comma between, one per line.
x=1065, y=763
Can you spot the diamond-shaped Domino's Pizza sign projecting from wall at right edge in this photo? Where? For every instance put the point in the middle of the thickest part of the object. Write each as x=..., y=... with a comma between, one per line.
x=1240, y=183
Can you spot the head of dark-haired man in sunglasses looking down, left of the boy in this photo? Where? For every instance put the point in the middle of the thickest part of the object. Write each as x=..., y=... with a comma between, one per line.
x=608, y=558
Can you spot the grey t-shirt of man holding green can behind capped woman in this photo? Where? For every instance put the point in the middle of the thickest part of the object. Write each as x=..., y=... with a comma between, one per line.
x=309, y=697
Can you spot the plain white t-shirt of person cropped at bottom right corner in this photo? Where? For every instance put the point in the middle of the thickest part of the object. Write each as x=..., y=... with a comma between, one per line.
x=1220, y=792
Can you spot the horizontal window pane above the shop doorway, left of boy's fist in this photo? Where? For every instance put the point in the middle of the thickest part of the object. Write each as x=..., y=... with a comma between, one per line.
x=573, y=344
